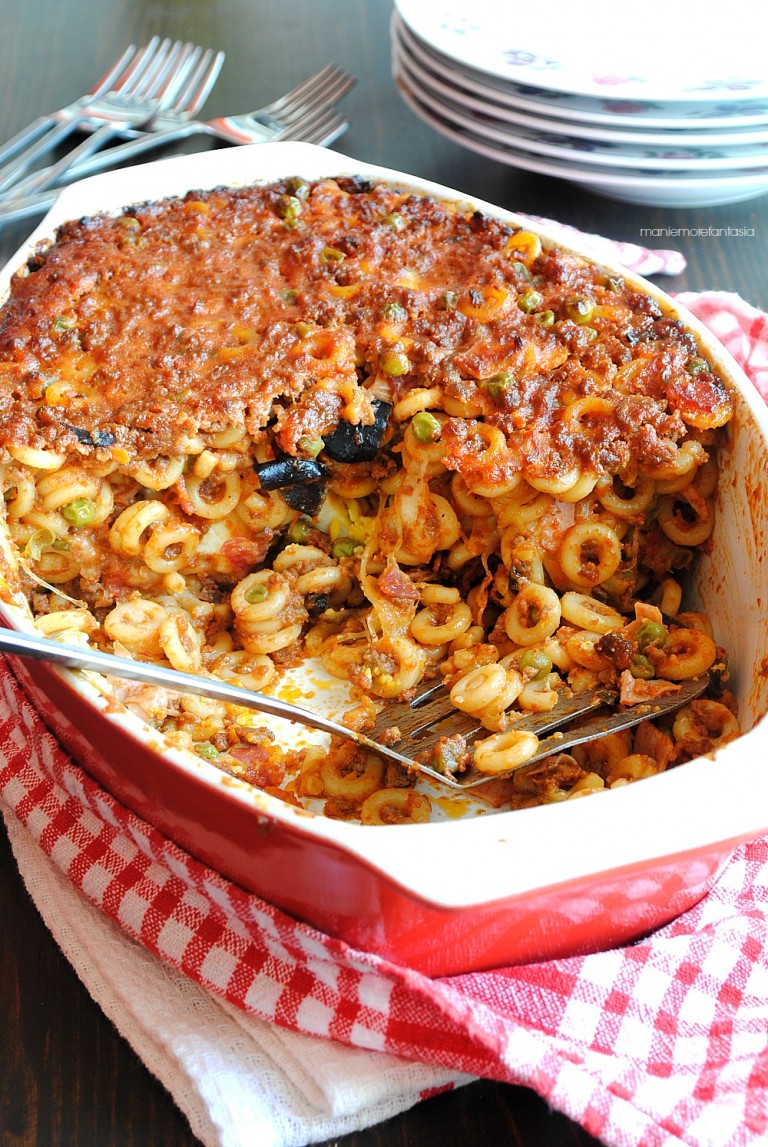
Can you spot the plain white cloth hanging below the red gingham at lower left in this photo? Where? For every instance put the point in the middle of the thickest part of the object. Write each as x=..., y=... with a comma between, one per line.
x=239, y=1081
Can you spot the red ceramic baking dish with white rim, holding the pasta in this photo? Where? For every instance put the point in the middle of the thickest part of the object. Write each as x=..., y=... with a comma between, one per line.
x=487, y=888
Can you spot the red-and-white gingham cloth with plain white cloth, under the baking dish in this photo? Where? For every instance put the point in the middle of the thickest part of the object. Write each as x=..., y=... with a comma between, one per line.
x=268, y=1032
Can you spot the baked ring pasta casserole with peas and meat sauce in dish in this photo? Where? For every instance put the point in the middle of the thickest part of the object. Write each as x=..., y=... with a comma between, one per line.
x=339, y=420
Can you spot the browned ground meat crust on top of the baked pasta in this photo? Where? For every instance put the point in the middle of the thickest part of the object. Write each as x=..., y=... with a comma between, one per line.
x=287, y=305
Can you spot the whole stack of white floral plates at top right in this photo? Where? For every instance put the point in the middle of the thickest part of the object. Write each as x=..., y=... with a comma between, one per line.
x=665, y=104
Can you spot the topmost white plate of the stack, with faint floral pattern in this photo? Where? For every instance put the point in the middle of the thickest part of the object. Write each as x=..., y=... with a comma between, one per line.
x=670, y=53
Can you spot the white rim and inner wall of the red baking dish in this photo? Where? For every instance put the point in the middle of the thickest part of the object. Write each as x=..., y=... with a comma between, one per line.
x=481, y=859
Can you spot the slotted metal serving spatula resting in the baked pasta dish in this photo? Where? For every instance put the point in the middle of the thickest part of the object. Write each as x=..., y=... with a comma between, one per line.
x=424, y=732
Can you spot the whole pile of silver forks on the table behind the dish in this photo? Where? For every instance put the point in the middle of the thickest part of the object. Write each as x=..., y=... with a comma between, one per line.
x=151, y=97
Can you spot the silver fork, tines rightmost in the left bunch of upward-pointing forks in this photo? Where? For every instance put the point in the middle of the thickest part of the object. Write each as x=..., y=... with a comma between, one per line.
x=177, y=91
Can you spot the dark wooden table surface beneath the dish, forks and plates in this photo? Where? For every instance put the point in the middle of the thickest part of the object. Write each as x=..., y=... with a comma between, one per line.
x=66, y=1076
